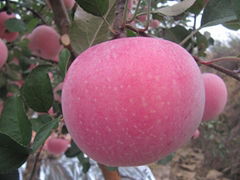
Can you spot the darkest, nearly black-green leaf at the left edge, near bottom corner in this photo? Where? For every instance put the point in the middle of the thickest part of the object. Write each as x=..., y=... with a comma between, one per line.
x=13, y=155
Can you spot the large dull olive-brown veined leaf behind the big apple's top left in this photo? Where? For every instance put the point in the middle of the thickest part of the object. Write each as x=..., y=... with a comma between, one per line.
x=88, y=30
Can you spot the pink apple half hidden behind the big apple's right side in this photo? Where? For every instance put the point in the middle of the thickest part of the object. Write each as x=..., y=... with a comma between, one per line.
x=216, y=96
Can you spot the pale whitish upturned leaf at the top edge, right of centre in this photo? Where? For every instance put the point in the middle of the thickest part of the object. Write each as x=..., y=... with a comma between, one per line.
x=176, y=9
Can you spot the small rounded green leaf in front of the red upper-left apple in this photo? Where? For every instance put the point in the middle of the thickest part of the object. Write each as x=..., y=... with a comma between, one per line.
x=15, y=25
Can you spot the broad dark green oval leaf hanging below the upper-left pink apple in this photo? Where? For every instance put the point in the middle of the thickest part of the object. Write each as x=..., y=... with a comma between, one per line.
x=37, y=90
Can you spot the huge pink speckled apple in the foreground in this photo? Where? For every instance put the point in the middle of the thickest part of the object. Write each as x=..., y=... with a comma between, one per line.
x=132, y=101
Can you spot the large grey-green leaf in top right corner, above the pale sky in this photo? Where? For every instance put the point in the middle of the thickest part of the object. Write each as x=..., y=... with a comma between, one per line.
x=217, y=12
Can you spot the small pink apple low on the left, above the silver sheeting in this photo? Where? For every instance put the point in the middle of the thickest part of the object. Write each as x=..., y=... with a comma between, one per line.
x=56, y=145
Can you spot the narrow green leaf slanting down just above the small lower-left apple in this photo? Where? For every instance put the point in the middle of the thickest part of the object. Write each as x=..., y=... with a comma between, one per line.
x=43, y=133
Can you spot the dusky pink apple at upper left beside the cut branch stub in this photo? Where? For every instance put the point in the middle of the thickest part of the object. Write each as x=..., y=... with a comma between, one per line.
x=44, y=41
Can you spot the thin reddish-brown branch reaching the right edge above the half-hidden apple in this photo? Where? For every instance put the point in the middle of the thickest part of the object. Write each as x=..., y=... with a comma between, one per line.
x=219, y=68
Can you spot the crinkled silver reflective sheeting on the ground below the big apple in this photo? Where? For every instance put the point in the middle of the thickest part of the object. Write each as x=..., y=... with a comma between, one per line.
x=71, y=169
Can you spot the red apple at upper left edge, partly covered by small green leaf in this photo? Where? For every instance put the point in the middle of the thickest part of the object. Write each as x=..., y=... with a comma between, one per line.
x=4, y=34
